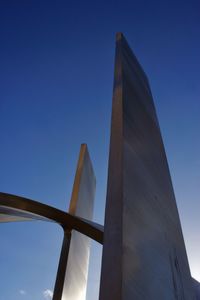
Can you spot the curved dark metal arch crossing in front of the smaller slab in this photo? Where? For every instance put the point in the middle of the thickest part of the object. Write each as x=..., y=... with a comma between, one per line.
x=16, y=208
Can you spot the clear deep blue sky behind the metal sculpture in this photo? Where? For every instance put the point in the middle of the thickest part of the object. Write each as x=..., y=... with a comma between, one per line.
x=56, y=75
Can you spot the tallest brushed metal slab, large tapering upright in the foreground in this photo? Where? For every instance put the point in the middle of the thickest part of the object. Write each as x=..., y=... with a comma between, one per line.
x=144, y=256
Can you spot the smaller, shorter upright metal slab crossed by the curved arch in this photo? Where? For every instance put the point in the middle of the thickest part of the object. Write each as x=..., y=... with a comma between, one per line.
x=76, y=247
